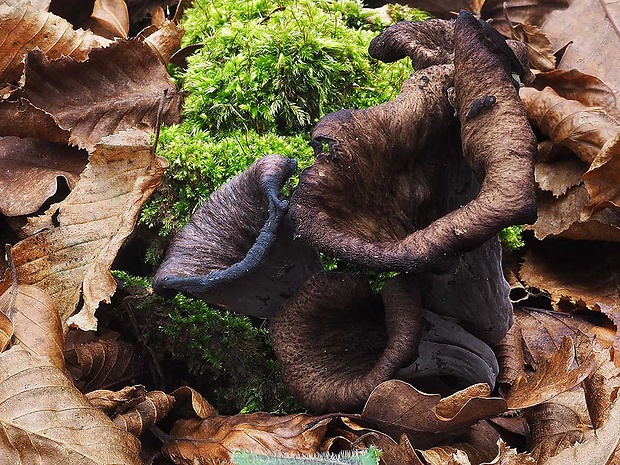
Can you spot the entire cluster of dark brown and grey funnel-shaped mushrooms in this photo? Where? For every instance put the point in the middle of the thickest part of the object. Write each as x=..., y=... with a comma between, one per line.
x=420, y=185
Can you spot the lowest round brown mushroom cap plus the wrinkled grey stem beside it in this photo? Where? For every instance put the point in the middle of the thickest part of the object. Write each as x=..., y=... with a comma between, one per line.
x=336, y=341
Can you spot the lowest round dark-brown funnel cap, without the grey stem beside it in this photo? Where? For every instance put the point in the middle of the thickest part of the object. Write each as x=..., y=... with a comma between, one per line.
x=336, y=341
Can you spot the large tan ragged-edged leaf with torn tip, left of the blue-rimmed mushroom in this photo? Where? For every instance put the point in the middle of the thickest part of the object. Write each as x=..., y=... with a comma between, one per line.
x=80, y=236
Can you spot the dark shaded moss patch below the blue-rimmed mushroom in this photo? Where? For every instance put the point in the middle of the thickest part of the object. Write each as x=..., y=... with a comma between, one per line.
x=225, y=356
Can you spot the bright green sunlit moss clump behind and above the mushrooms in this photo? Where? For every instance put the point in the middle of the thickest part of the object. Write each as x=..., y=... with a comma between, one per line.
x=268, y=70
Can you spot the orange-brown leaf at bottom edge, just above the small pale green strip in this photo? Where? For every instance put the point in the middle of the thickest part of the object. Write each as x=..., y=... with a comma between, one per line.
x=218, y=437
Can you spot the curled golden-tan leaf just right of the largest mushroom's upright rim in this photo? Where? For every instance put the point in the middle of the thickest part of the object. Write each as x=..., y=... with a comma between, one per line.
x=569, y=123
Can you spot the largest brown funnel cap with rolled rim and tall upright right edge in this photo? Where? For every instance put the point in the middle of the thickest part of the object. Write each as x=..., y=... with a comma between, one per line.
x=376, y=198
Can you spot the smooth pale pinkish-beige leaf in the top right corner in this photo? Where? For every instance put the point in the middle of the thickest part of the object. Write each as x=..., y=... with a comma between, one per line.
x=591, y=28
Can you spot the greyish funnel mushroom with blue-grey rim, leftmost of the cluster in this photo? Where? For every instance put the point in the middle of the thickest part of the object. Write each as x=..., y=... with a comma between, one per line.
x=237, y=251
